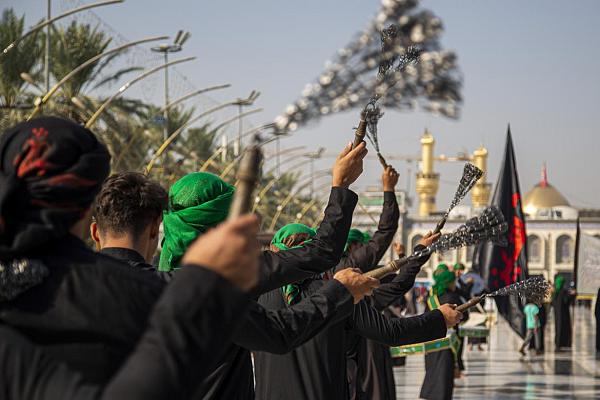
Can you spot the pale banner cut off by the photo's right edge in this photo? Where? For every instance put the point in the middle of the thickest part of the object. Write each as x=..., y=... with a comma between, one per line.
x=588, y=268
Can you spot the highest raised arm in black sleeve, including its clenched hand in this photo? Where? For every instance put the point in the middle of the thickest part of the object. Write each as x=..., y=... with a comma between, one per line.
x=325, y=249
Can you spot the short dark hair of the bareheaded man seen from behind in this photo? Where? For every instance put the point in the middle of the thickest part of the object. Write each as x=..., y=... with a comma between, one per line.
x=128, y=202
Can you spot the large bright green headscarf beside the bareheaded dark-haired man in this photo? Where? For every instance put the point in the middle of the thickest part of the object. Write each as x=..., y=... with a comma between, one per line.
x=197, y=202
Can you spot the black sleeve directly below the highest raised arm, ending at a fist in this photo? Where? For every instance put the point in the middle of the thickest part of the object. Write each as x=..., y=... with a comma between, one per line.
x=280, y=331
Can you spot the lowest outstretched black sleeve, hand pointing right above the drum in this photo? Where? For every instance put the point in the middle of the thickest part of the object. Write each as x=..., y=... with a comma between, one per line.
x=370, y=323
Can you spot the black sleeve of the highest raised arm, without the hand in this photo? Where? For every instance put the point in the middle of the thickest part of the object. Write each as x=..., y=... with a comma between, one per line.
x=320, y=254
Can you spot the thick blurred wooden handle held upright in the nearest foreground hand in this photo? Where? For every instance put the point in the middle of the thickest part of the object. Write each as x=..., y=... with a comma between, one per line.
x=247, y=177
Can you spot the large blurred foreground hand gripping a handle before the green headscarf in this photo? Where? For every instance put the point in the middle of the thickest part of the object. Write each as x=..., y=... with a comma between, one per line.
x=231, y=250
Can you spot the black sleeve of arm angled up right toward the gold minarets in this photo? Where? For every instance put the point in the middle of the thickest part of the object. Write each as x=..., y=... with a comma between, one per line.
x=401, y=283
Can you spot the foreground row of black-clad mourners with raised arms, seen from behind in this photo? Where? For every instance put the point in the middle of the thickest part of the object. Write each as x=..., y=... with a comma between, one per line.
x=214, y=317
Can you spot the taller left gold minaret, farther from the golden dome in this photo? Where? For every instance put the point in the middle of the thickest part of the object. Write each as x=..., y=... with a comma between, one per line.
x=427, y=180
